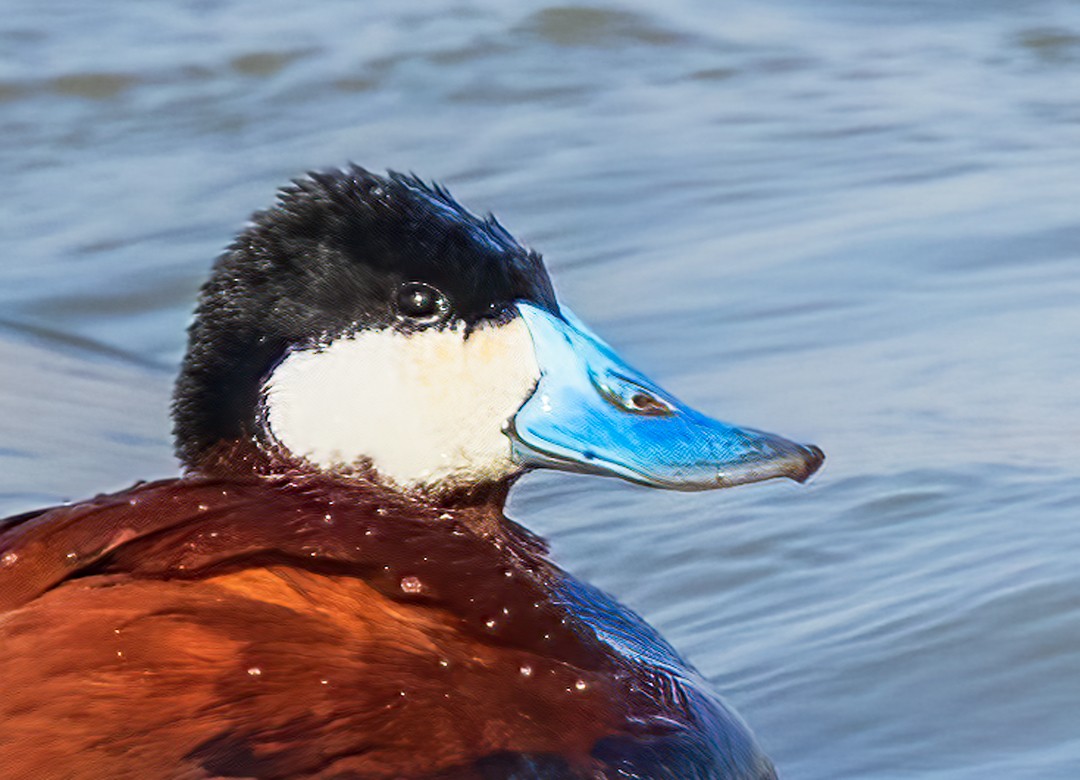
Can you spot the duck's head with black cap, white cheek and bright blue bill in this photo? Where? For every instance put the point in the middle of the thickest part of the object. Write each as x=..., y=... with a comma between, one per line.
x=371, y=328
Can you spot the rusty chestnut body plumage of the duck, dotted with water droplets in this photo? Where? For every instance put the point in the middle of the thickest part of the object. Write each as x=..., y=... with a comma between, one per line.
x=290, y=628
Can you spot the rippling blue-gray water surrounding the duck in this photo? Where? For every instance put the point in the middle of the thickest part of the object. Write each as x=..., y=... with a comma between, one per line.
x=853, y=223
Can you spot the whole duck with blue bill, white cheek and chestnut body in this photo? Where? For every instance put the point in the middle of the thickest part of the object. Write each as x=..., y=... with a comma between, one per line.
x=289, y=610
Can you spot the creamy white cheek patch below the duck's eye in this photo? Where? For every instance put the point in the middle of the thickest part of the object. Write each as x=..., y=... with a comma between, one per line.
x=426, y=409
